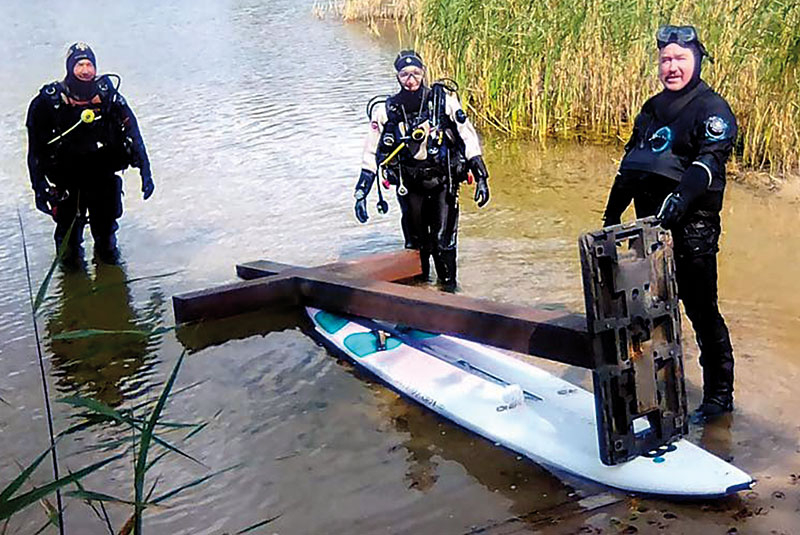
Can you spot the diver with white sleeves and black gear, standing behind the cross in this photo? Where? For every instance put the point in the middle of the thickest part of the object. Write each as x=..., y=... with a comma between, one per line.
x=422, y=142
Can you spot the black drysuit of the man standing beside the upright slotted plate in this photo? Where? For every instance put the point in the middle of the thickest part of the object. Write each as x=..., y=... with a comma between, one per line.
x=680, y=143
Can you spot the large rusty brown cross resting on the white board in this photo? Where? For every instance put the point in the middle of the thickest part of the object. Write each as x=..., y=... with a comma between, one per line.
x=361, y=287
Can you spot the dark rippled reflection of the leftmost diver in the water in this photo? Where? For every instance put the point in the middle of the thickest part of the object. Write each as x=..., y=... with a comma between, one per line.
x=103, y=366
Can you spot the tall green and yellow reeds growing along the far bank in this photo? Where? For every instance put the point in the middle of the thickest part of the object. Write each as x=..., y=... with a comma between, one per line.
x=583, y=69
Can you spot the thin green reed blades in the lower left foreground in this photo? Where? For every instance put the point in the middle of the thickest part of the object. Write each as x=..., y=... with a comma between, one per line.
x=145, y=442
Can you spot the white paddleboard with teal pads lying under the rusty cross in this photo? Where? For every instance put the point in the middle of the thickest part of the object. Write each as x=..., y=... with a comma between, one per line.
x=522, y=408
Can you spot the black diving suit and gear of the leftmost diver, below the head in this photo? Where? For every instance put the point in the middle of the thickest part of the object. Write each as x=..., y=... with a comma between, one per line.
x=82, y=164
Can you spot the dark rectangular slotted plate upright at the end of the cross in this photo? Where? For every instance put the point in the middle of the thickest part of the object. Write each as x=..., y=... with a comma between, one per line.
x=633, y=320
